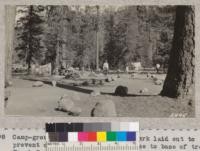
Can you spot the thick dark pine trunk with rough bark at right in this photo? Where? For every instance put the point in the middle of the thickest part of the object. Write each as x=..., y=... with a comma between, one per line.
x=179, y=82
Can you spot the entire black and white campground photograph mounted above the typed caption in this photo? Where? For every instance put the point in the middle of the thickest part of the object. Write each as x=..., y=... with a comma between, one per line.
x=100, y=61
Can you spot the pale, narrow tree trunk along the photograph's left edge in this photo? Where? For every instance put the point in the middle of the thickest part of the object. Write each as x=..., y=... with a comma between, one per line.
x=10, y=22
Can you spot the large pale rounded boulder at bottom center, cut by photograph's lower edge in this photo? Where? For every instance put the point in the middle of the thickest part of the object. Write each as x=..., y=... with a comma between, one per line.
x=104, y=108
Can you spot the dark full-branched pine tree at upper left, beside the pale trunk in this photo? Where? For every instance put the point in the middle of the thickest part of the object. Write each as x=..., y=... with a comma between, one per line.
x=30, y=34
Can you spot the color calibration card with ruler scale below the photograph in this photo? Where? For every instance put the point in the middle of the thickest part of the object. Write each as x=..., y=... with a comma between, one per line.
x=118, y=136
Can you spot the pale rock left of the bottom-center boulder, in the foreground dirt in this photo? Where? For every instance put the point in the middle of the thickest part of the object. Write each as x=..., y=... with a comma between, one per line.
x=65, y=104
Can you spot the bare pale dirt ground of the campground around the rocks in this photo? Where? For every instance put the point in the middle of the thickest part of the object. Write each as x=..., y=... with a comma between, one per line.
x=41, y=101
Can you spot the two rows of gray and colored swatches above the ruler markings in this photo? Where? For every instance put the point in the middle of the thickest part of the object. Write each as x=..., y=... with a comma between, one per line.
x=92, y=132
